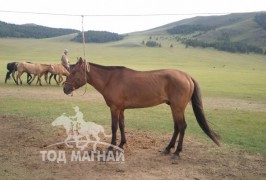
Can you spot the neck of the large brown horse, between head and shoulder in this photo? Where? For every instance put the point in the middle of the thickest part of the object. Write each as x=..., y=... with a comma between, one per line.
x=98, y=77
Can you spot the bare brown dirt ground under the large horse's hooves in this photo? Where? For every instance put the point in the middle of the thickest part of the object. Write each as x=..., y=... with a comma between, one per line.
x=22, y=139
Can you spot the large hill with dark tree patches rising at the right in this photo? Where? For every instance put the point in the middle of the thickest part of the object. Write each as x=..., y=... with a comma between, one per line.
x=240, y=28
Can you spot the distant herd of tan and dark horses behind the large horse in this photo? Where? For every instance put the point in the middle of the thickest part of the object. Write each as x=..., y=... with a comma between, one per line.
x=33, y=70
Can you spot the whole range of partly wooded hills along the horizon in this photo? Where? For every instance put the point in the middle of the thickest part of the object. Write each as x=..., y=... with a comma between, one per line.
x=239, y=32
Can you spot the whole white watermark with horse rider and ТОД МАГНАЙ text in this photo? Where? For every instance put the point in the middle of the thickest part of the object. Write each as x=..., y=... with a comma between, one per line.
x=83, y=137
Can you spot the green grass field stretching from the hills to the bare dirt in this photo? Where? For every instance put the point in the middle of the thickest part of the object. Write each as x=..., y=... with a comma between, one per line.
x=233, y=87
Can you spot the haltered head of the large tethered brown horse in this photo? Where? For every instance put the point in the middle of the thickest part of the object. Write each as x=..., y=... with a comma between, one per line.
x=77, y=77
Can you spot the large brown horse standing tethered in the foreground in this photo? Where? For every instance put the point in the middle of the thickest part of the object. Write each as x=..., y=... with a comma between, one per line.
x=124, y=88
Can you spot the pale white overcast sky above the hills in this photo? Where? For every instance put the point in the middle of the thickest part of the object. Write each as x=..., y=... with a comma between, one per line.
x=119, y=16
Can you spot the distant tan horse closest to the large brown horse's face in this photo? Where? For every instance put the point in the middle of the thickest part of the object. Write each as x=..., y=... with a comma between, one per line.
x=60, y=70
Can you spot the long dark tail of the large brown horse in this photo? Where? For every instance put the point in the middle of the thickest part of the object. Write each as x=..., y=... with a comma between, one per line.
x=199, y=113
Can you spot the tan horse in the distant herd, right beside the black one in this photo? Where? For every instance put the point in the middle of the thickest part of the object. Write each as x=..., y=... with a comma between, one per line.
x=35, y=69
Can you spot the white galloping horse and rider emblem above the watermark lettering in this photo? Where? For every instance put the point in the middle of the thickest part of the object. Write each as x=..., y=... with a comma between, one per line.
x=79, y=131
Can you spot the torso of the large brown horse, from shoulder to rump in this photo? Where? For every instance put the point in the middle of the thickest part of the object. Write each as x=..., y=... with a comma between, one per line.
x=137, y=89
